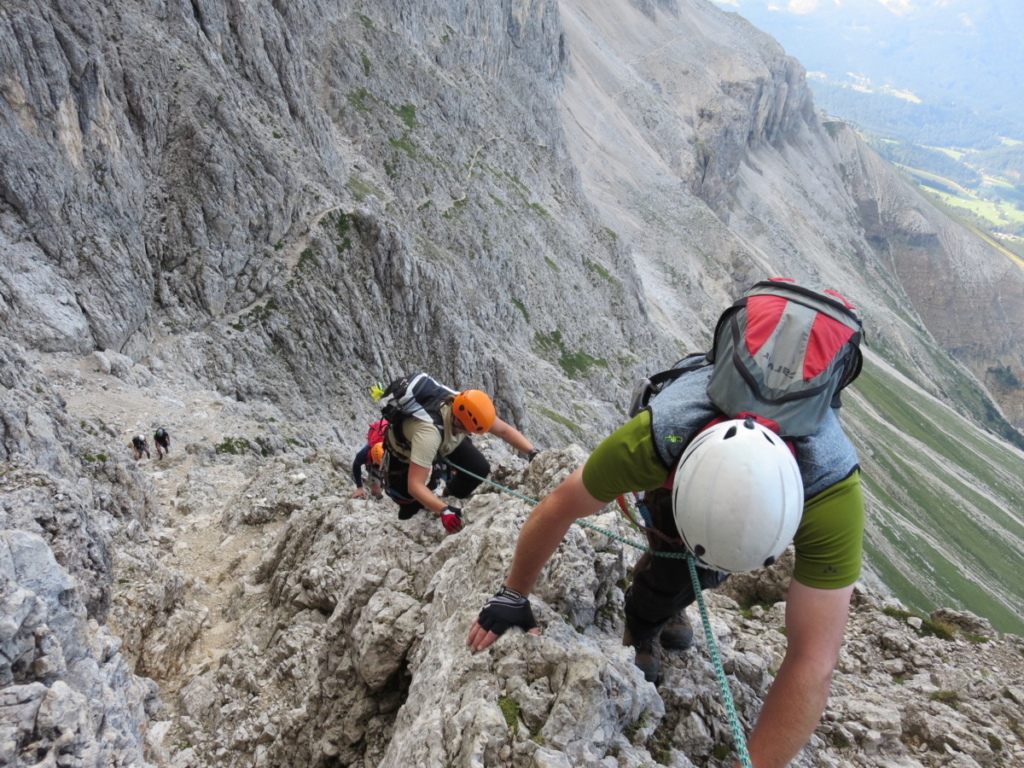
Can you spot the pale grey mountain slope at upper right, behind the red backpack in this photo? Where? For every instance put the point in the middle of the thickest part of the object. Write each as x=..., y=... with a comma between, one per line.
x=697, y=140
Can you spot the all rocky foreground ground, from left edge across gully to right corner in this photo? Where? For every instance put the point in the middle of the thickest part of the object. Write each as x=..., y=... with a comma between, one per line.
x=286, y=624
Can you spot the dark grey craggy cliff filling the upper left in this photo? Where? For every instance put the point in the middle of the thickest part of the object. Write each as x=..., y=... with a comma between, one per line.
x=272, y=198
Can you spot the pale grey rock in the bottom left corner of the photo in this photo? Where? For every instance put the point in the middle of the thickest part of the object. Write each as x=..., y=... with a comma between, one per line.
x=67, y=695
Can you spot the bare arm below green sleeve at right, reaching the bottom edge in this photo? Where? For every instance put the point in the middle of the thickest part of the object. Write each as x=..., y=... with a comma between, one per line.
x=816, y=620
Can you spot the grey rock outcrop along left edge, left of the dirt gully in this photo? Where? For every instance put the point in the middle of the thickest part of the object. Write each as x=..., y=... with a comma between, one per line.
x=68, y=694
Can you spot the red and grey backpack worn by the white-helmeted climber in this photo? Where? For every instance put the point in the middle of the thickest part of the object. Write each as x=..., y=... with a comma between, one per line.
x=783, y=354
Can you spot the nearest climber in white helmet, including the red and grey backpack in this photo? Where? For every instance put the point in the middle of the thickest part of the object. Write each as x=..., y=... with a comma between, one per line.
x=730, y=491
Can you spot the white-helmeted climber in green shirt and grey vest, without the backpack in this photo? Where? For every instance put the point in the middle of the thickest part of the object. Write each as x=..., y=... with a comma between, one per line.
x=735, y=495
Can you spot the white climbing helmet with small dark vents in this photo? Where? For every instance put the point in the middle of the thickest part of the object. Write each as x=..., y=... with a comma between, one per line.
x=739, y=497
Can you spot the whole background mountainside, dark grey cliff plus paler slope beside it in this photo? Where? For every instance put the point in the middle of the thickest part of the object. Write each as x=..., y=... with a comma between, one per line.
x=264, y=199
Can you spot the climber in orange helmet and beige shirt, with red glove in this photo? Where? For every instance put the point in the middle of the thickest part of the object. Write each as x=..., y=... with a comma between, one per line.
x=429, y=443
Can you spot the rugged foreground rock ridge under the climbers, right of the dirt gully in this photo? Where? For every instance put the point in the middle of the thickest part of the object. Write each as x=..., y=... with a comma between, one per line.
x=358, y=656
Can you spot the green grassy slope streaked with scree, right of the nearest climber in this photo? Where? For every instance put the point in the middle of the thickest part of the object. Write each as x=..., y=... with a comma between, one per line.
x=946, y=522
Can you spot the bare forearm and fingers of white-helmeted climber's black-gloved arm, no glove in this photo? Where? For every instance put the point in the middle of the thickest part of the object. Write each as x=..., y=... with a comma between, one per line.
x=540, y=537
